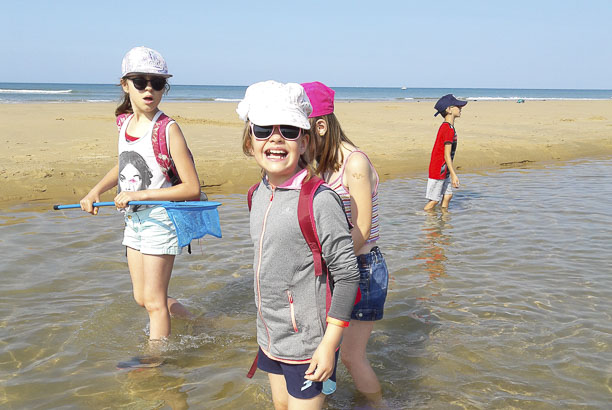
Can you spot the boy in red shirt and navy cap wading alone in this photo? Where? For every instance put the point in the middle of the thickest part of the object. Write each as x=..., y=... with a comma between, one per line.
x=442, y=175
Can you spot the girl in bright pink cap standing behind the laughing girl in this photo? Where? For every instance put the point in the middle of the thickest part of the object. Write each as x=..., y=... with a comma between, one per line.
x=349, y=172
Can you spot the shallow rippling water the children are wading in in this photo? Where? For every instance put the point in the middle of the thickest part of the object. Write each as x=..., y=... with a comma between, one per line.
x=504, y=301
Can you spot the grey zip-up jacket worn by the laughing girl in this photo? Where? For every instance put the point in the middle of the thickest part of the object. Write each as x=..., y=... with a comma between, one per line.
x=290, y=299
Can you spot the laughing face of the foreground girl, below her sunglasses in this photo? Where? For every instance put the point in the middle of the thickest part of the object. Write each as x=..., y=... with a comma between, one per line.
x=278, y=157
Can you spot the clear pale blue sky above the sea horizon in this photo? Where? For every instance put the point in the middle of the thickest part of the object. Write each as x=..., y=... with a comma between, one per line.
x=514, y=44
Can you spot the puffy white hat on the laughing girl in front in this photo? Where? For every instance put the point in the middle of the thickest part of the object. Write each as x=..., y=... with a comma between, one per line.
x=273, y=103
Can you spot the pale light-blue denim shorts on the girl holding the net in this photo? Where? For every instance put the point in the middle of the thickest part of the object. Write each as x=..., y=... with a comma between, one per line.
x=151, y=232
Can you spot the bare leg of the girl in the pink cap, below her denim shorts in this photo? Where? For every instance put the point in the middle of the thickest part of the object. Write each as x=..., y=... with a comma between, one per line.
x=353, y=355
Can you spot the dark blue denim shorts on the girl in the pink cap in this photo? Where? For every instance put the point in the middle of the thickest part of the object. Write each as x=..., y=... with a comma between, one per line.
x=373, y=282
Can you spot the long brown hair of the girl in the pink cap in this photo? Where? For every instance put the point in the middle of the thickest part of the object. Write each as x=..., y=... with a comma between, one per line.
x=327, y=151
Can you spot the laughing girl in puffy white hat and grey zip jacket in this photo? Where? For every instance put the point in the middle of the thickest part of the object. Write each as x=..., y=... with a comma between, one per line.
x=297, y=334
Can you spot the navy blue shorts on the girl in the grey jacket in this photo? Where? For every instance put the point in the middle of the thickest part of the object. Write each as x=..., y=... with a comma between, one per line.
x=297, y=385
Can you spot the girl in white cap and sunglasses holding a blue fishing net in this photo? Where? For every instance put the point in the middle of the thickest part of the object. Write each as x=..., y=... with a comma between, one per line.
x=149, y=236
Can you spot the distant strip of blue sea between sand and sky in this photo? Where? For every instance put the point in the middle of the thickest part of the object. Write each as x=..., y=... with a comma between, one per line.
x=34, y=92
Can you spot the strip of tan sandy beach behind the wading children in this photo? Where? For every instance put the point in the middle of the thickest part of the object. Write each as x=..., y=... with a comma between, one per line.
x=54, y=153
